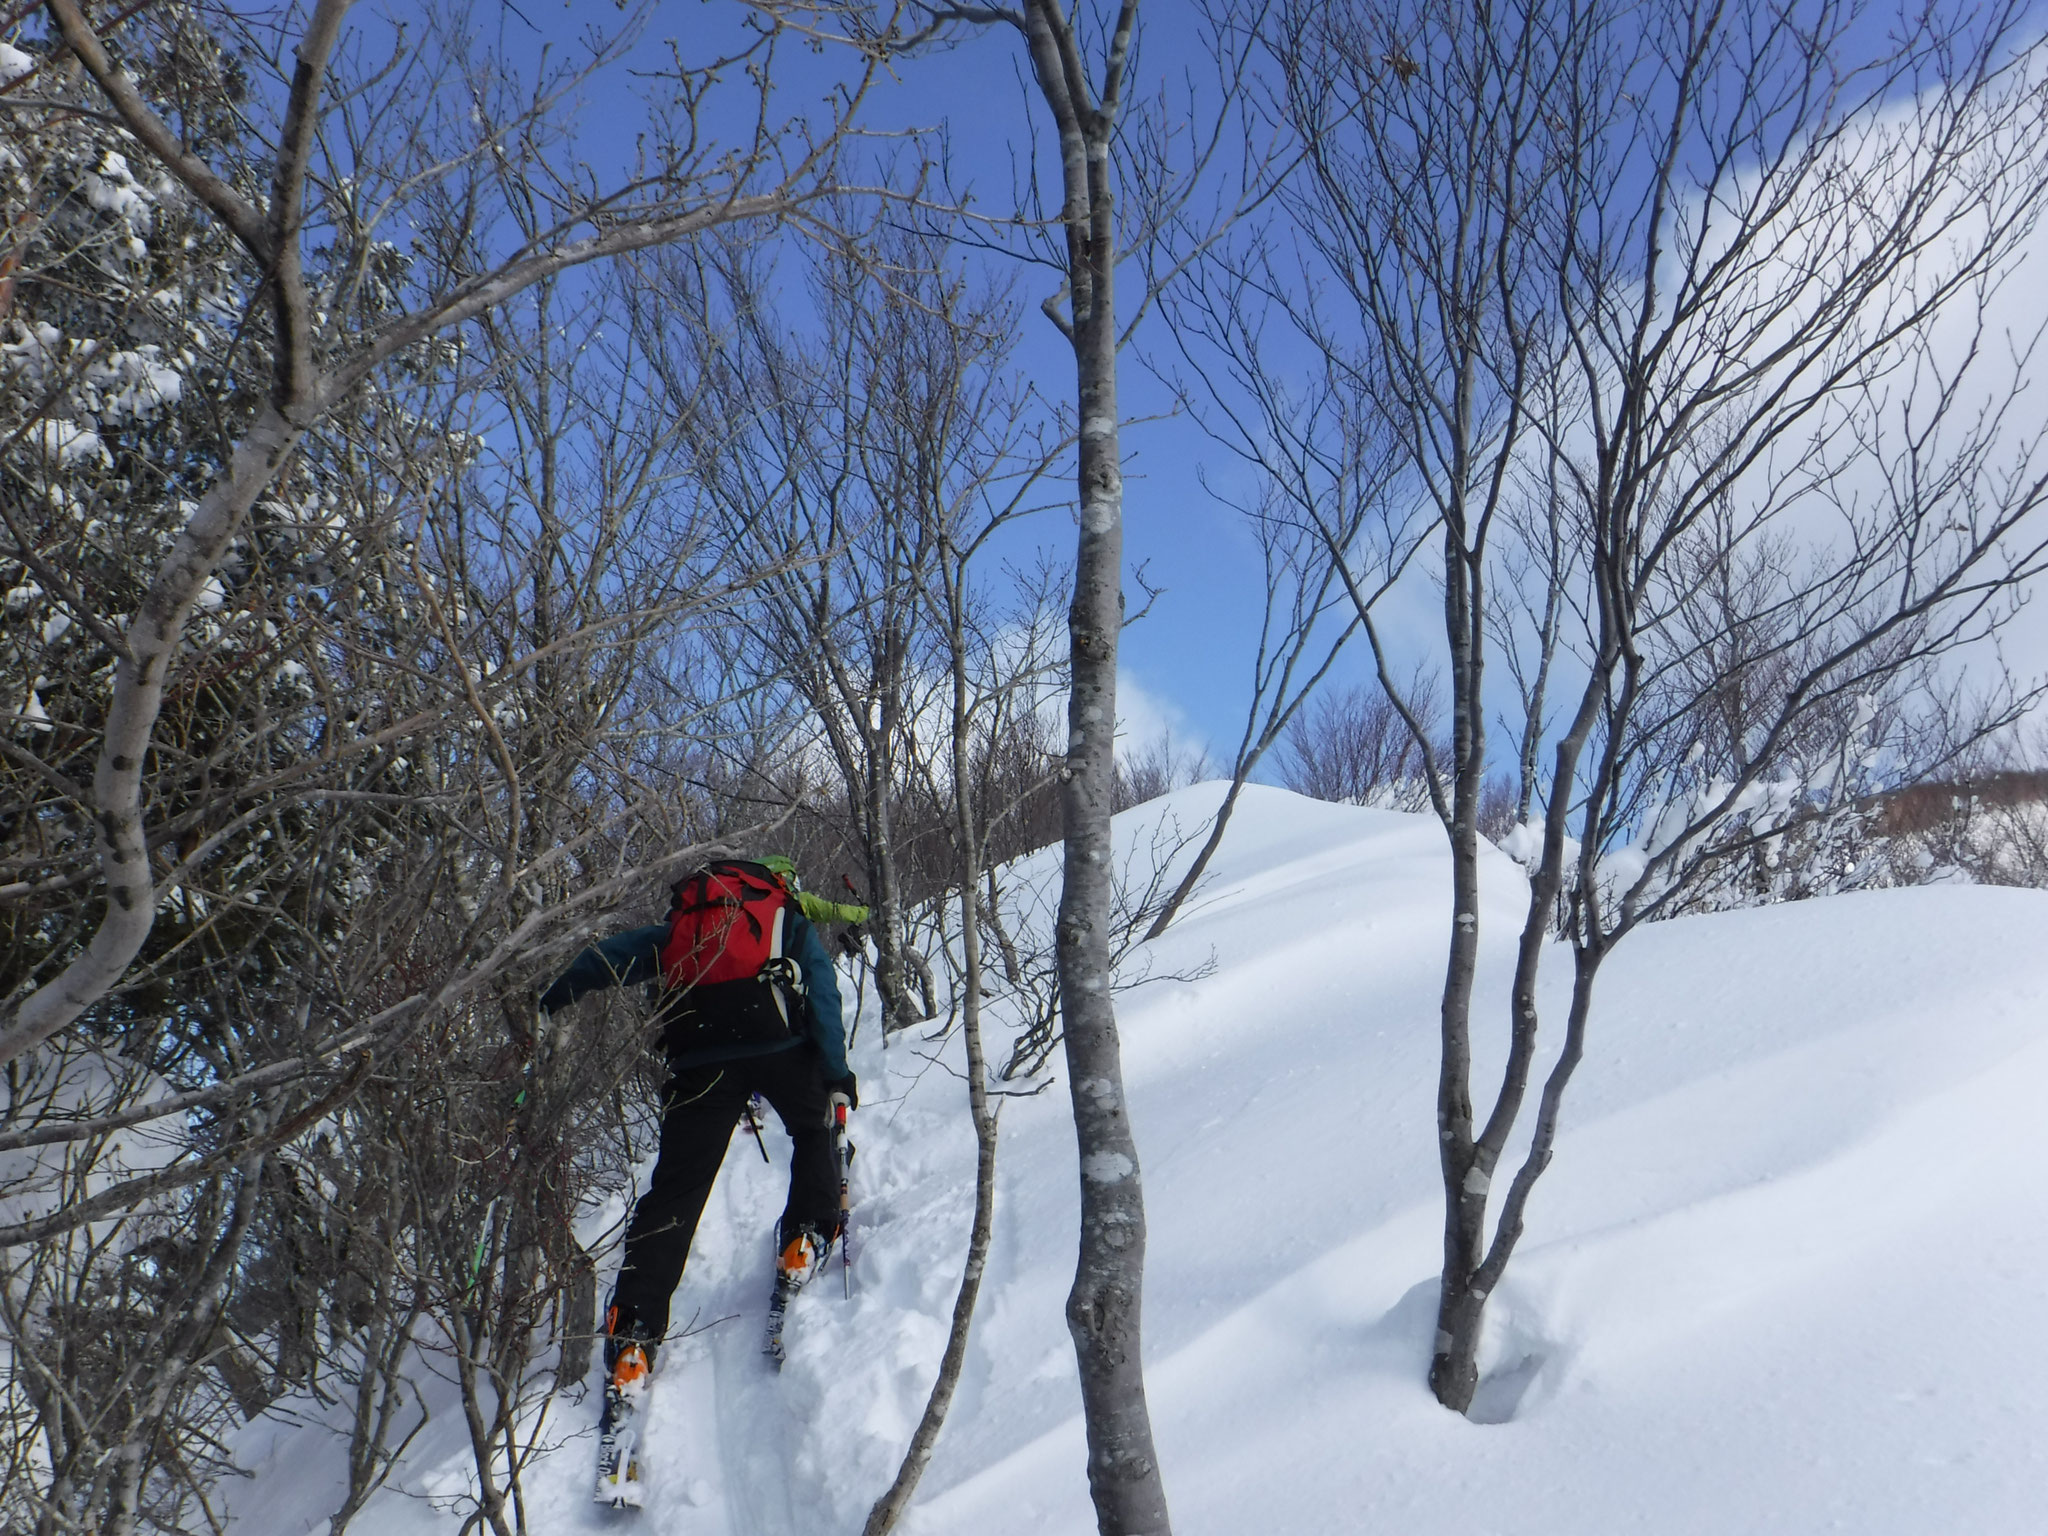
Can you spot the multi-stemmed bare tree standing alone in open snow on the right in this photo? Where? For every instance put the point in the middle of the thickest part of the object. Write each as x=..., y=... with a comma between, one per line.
x=1658, y=265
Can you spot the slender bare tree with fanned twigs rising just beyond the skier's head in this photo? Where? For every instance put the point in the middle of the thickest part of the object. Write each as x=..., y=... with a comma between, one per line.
x=814, y=454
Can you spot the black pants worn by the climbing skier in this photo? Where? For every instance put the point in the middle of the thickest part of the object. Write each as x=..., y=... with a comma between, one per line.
x=699, y=1113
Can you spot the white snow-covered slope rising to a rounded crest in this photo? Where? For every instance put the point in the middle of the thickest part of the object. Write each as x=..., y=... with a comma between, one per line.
x=1787, y=1275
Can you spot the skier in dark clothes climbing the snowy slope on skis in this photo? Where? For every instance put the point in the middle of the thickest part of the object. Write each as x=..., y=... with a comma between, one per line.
x=749, y=1005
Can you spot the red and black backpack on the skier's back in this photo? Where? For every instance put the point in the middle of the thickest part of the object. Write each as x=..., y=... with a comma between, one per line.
x=724, y=964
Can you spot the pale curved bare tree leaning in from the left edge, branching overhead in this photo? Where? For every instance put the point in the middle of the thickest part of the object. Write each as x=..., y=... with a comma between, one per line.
x=318, y=359
